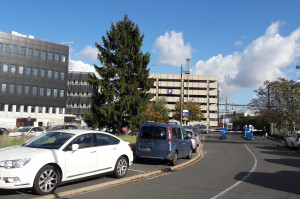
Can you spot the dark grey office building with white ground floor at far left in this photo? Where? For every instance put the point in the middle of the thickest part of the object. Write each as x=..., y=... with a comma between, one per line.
x=33, y=79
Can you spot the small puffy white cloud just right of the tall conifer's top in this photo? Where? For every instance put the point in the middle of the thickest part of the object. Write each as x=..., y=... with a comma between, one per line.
x=172, y=49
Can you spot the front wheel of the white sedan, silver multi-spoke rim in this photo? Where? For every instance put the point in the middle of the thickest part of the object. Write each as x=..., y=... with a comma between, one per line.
x=46, y=180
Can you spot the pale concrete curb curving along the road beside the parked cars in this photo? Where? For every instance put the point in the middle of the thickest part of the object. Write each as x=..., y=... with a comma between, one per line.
x=100, y=186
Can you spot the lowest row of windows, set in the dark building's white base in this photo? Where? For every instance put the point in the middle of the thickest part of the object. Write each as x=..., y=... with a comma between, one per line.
x=31, y=109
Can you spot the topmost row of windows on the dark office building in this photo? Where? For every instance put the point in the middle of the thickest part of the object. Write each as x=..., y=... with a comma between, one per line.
x=32, y=52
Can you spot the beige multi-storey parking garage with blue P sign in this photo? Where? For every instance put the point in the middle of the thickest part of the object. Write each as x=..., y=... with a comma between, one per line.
x=202, y=89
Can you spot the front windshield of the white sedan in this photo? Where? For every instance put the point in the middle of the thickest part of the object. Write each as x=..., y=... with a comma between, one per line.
x=52, y=140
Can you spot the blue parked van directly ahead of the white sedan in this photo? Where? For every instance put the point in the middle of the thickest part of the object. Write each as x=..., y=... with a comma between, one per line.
x=163, y=141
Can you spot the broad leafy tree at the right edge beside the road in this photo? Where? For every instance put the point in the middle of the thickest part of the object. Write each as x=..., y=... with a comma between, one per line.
x=279, y=102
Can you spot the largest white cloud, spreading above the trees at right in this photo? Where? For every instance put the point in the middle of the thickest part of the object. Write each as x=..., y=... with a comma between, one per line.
x=262, y=60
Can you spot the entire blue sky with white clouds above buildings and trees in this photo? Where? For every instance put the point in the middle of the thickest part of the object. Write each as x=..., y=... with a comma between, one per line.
x=243, y=42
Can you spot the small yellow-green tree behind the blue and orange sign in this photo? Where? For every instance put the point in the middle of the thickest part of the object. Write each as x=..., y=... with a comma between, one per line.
x=195, y=113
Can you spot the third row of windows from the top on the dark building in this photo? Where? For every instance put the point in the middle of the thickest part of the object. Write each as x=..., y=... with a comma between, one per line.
x=19, y=89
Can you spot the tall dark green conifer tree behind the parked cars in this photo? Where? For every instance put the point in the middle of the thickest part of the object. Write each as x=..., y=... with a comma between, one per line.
x=123, y=84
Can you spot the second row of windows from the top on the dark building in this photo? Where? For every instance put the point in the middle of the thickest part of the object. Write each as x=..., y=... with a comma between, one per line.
x=37, y=72
